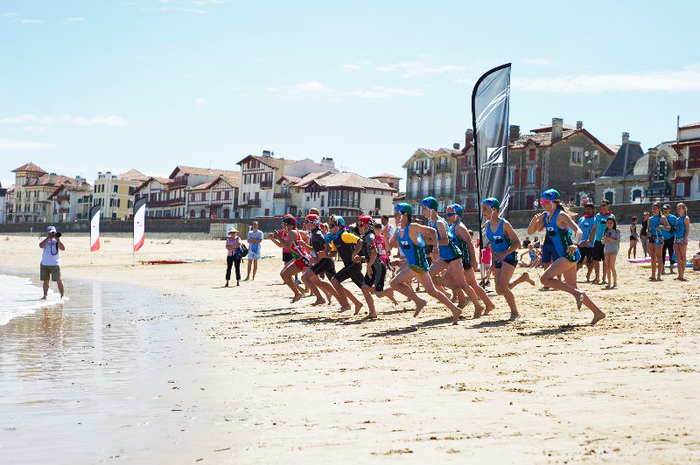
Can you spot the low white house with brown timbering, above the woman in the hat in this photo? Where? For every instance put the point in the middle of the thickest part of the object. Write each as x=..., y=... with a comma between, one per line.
x=216, y=199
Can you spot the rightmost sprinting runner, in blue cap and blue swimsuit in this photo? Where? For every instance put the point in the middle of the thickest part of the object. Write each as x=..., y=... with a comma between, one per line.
x=554, y=217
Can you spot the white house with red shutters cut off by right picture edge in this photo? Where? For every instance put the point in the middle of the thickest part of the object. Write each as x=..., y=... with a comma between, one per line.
x=686, y=166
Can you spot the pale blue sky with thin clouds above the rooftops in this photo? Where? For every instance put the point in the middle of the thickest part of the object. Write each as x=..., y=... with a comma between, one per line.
x=88, y=86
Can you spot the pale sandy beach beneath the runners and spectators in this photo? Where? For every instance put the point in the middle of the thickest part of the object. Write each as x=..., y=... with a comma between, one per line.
x=267, y=381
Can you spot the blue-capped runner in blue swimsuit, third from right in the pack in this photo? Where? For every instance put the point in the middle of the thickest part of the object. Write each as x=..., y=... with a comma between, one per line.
x=463, y=240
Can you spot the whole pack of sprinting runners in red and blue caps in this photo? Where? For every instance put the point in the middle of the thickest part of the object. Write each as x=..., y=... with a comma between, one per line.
x=438, y=254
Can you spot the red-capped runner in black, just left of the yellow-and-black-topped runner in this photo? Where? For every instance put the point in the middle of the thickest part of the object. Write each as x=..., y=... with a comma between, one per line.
x=321, y=264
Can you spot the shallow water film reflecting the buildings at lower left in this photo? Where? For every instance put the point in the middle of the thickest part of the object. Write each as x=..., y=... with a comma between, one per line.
x=99, y=377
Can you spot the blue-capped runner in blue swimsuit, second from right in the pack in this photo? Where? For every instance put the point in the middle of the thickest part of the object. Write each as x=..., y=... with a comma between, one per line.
x=504, y=244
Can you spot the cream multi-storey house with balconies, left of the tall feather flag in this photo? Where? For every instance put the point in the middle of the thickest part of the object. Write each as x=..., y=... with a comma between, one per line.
x=432, y=173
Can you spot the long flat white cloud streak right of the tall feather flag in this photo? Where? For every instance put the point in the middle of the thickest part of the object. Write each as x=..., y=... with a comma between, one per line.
x=686, y=80
